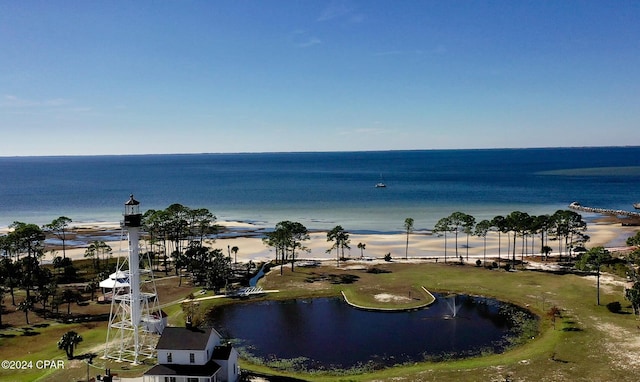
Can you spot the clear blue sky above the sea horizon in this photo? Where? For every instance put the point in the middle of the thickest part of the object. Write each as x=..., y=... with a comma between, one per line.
x=129, y=77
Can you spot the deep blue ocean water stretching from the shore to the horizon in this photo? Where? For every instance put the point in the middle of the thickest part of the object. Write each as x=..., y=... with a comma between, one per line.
x=323, y=189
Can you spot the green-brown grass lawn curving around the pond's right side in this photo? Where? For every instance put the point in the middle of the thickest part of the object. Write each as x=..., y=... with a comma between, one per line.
x=588, y=342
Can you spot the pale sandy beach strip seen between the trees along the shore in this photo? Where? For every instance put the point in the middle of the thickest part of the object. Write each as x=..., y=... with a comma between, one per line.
x=422, y=245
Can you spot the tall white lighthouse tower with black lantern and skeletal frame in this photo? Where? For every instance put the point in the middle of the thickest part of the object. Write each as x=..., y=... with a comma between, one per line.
x=135, y=318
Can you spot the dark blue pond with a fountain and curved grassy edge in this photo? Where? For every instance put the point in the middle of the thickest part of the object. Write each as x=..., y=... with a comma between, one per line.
x=327, y=333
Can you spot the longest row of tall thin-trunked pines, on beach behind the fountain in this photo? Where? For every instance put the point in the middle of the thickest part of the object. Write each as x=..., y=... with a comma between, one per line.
x=566, y=226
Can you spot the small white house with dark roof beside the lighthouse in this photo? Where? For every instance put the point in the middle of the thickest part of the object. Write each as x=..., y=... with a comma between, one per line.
x=187, y=354
